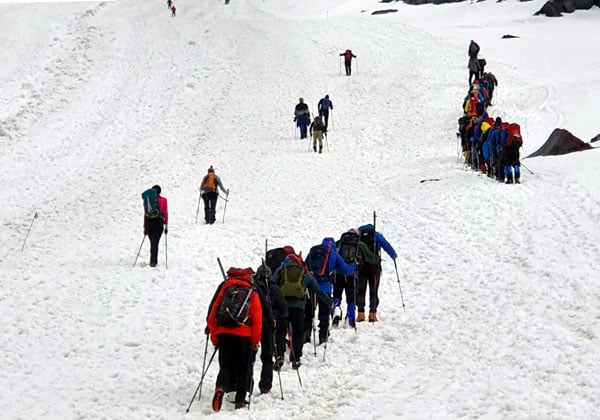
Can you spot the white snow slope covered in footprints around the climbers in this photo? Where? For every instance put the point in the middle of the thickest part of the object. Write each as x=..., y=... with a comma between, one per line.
x=103, y=100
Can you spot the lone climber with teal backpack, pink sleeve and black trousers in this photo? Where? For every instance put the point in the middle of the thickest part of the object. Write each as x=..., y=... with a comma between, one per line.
x=156, y=219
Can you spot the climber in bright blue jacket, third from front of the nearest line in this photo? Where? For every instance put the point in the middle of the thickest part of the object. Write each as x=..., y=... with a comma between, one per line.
x=322, y=261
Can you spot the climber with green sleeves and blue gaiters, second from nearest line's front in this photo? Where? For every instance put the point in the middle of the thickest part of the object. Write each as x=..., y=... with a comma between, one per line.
x=351, y=249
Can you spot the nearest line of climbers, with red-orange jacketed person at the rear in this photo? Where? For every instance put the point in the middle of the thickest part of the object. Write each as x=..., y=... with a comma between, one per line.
x=277, y=304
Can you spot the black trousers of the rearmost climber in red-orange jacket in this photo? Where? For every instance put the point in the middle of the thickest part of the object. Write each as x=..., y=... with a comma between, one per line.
x=235, y=364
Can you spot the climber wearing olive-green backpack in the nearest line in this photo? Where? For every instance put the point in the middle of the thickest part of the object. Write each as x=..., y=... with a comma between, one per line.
x=293, y=280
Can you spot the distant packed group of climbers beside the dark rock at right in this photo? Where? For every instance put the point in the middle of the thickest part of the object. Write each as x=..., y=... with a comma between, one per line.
x=489, y=145
